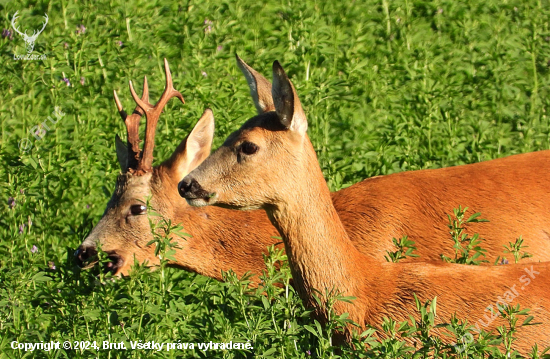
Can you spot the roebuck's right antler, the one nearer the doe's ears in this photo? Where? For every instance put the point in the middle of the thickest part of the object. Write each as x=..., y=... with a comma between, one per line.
x=152, y=114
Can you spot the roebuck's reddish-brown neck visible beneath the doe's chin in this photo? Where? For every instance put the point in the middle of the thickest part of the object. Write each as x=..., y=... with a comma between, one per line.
x=220, y=238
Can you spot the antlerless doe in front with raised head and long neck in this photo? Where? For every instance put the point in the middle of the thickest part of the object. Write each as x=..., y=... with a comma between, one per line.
x=270, y=164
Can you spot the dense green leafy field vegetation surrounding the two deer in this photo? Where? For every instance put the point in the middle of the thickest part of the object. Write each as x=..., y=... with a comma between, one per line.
x=387, y=86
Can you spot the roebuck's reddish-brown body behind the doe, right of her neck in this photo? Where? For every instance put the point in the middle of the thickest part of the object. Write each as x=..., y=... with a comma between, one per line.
x=416, y=203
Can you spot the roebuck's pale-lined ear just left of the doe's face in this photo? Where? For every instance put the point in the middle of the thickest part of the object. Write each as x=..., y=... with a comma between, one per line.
x=193, y=149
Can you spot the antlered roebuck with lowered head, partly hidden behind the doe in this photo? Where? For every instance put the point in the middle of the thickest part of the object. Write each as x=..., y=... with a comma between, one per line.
x=372, y=211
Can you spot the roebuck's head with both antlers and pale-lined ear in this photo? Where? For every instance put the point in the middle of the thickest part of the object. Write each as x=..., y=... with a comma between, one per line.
x=124, y=229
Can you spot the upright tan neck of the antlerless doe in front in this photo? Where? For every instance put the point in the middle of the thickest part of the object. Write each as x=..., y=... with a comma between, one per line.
x=320, y=253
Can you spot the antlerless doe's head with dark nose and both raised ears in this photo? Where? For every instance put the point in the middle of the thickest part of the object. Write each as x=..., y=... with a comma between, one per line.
x=257, y=147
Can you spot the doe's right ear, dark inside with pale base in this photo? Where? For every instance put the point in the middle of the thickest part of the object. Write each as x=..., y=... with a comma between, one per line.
x=287, y=104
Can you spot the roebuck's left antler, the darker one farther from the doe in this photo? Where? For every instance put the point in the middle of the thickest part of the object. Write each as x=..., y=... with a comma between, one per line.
x=132, y=126
